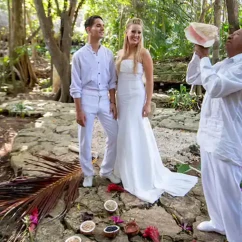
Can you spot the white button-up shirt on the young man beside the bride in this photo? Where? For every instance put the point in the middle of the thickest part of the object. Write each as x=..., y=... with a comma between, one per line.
x=92, y=71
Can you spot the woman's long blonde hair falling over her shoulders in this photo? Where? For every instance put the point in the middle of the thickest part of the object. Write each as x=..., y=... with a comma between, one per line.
x=126, y=49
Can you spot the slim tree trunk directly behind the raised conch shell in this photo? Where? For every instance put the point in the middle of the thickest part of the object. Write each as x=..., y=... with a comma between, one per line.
x=217, y=22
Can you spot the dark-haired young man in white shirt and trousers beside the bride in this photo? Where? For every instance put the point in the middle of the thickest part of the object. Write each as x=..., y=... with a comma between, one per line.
x=93, y=77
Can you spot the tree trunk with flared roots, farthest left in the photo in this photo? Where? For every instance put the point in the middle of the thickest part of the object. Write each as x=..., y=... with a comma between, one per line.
x=18, y=52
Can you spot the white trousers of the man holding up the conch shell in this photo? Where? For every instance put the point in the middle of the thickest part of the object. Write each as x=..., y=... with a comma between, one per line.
x=221, y=180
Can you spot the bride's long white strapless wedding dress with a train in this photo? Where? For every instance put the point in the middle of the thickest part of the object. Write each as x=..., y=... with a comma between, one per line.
x=138, y=163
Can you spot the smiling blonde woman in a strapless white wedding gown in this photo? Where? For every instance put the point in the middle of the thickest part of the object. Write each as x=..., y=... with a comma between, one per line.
x=138, y=163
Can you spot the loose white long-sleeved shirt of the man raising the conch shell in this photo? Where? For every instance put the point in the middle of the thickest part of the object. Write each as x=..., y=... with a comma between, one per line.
x=220, y=128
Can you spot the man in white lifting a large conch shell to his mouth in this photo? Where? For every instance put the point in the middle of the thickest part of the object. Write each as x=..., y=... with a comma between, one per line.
x=220, y=136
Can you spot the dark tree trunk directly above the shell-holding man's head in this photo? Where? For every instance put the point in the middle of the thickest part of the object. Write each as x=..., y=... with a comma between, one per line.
x=233, y=15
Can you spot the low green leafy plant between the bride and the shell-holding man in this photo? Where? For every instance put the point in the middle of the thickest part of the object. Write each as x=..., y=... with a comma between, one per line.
x=183, y=100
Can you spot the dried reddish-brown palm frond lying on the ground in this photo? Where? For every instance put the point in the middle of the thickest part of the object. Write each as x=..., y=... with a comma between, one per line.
x=20, y=196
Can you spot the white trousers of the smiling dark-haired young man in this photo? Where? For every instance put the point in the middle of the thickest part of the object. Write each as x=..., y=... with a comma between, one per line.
x=97, y=104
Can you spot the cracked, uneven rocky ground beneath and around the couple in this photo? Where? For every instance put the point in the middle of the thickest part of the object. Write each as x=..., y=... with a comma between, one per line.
x=51, y=135
